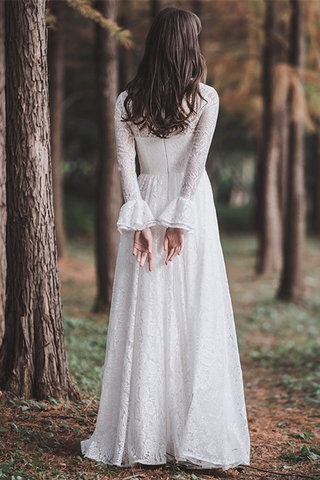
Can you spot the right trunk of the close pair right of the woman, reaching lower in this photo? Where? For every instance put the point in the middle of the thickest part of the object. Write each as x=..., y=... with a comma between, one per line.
x=291, y=282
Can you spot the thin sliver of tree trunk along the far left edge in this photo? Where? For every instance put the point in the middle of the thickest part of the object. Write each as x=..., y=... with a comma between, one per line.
x=3, y=208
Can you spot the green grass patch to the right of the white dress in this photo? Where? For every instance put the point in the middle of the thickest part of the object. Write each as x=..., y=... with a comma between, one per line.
x=283, y=337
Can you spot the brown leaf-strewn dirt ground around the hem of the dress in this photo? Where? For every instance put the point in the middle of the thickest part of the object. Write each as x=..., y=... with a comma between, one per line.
x=274, y=422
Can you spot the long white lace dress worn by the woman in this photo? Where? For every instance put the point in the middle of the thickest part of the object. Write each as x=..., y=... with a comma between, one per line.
x=172, y=383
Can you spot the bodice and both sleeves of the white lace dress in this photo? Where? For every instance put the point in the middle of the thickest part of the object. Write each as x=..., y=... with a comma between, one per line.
x=185, y=152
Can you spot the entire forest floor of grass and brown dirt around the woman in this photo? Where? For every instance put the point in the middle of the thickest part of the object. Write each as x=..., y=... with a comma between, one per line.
x=279, y=347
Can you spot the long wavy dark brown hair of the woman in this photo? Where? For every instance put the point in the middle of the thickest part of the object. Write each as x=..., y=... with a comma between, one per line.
x=169, y=72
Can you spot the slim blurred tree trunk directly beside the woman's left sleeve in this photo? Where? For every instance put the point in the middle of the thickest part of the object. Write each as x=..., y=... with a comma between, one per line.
x=108, y=181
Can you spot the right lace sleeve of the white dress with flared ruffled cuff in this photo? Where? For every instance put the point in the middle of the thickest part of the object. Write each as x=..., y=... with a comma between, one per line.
x=180, y=212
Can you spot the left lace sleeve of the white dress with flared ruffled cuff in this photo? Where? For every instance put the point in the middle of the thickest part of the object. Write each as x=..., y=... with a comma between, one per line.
x=135, y=213
